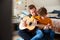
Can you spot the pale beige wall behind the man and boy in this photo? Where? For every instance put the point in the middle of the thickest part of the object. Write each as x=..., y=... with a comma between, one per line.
x=49, y=4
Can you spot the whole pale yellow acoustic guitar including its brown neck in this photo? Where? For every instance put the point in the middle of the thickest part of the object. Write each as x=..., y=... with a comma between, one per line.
x=30, y=25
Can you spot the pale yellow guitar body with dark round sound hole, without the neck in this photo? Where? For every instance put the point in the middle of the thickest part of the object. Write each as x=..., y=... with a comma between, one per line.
x=29, y=22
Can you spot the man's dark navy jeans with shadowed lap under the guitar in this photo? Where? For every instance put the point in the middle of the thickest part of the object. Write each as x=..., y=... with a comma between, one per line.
x=25, y=34
